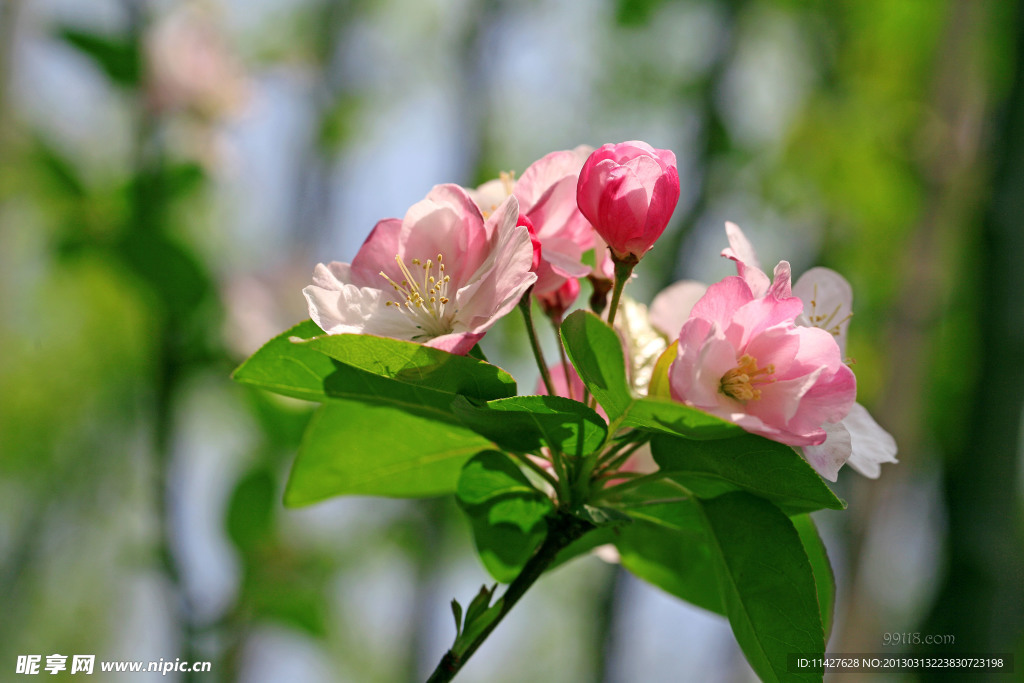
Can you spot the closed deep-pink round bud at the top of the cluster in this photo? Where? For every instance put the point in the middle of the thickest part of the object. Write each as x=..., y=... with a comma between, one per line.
x=628, y=192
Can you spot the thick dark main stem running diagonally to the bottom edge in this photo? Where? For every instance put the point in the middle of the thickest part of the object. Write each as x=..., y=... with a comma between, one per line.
x=564, y=529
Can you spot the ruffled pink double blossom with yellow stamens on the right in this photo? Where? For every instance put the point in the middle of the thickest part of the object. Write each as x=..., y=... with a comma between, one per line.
x=744, y=359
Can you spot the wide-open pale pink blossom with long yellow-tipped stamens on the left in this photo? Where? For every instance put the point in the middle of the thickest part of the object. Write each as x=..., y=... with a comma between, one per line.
x=442, y=276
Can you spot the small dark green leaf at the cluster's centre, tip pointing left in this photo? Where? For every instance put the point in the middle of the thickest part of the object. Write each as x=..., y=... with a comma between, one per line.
x=525, y=424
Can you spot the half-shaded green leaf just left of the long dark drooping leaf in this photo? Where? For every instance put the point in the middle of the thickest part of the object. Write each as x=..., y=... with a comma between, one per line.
x=668, y=545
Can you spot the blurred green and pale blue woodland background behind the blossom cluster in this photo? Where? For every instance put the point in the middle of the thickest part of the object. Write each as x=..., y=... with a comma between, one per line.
x=170, y=173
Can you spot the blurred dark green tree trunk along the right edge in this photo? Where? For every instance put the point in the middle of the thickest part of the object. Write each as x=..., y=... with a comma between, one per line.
x=983, y=600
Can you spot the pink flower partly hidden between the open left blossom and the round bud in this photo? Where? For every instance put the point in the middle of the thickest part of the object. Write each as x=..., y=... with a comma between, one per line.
x=547, y=197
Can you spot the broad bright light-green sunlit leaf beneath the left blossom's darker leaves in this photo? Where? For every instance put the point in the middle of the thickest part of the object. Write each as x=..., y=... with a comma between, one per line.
x=356, y=448
